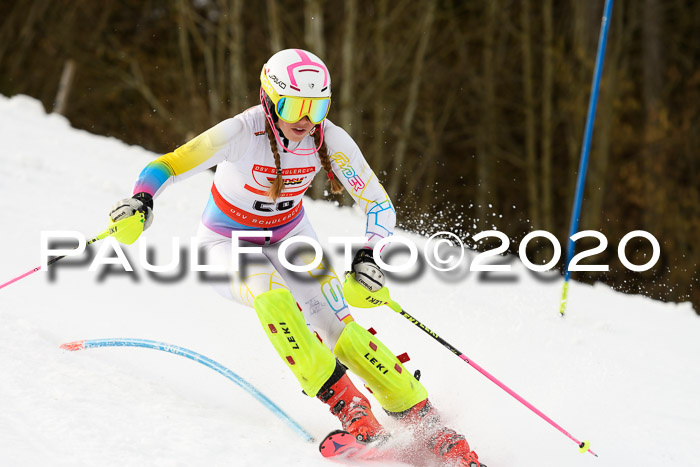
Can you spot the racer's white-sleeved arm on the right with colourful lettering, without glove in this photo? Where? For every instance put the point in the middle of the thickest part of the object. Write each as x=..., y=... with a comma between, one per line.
x=353, y=171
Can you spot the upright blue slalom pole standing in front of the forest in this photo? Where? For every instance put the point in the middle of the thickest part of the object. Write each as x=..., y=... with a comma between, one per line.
x=586, y=148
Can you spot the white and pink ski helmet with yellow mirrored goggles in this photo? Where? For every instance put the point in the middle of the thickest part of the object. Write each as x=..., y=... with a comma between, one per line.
x=295, y=83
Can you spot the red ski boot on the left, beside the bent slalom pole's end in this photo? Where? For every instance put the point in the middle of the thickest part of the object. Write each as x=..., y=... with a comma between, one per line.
x=351, y=407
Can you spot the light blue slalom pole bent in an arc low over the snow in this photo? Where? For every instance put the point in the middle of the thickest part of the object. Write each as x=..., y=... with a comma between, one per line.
x=206, y=361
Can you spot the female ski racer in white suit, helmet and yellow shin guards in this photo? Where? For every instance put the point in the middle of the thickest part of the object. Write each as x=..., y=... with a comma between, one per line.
x=266, y=158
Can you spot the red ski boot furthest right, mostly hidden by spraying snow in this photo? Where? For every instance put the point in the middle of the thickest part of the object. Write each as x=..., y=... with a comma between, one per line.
x=442, y=441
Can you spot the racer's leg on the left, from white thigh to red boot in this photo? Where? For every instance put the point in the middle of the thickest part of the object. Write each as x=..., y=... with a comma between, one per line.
x=260, y=285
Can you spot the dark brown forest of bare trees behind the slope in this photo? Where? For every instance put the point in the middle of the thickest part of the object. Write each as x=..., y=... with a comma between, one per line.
x=472, y=113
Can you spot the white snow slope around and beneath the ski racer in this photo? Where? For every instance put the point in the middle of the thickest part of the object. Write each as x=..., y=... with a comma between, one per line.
x=619, y=370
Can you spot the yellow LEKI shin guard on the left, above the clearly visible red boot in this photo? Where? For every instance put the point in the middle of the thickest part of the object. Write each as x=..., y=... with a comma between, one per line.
x=311, y=362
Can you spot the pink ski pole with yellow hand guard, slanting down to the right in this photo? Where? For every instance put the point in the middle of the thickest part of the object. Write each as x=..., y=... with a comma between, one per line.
x=359, y=296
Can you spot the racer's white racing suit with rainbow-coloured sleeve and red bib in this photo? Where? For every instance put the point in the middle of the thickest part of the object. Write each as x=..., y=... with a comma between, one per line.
x=240, y=149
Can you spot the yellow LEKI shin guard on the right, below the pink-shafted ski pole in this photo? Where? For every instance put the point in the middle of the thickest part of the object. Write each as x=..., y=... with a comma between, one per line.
x=393, y=386
